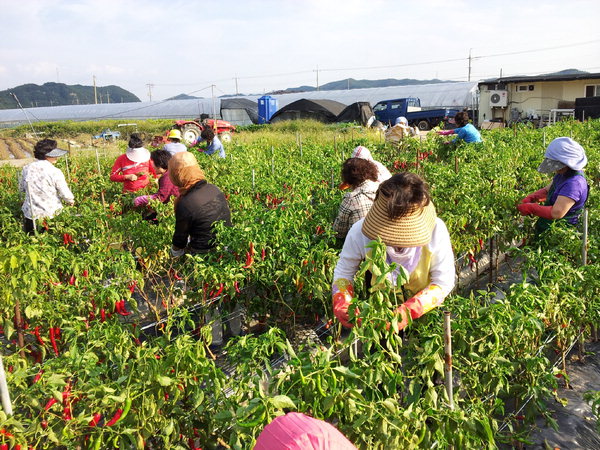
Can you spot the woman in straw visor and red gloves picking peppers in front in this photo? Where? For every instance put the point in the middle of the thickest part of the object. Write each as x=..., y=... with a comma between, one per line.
x=404, y=217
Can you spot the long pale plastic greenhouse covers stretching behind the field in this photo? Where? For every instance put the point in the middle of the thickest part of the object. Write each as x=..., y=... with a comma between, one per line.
x=457, y=95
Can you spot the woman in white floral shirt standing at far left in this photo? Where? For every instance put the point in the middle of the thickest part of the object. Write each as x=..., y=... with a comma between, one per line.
x=44, y=185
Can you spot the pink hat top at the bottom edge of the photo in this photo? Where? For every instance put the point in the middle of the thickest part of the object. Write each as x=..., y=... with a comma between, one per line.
x=295, y=431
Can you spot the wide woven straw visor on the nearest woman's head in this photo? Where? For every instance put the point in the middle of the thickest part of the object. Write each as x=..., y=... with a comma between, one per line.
x=411, y=230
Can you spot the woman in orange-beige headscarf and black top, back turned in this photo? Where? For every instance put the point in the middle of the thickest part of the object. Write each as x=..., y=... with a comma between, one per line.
x=199, y=206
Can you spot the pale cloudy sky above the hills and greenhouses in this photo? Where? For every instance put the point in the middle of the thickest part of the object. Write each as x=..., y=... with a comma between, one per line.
x=157, y=49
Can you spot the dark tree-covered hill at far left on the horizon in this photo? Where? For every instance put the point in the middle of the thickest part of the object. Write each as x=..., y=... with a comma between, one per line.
x=55, y=94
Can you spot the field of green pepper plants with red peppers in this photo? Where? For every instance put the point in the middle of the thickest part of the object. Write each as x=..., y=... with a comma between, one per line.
x=93, y=375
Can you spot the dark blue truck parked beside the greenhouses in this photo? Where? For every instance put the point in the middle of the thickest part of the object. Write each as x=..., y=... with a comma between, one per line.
x=387, y=111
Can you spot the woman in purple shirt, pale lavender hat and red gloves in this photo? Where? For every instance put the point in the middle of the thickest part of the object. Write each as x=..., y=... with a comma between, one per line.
x=565, y=196
